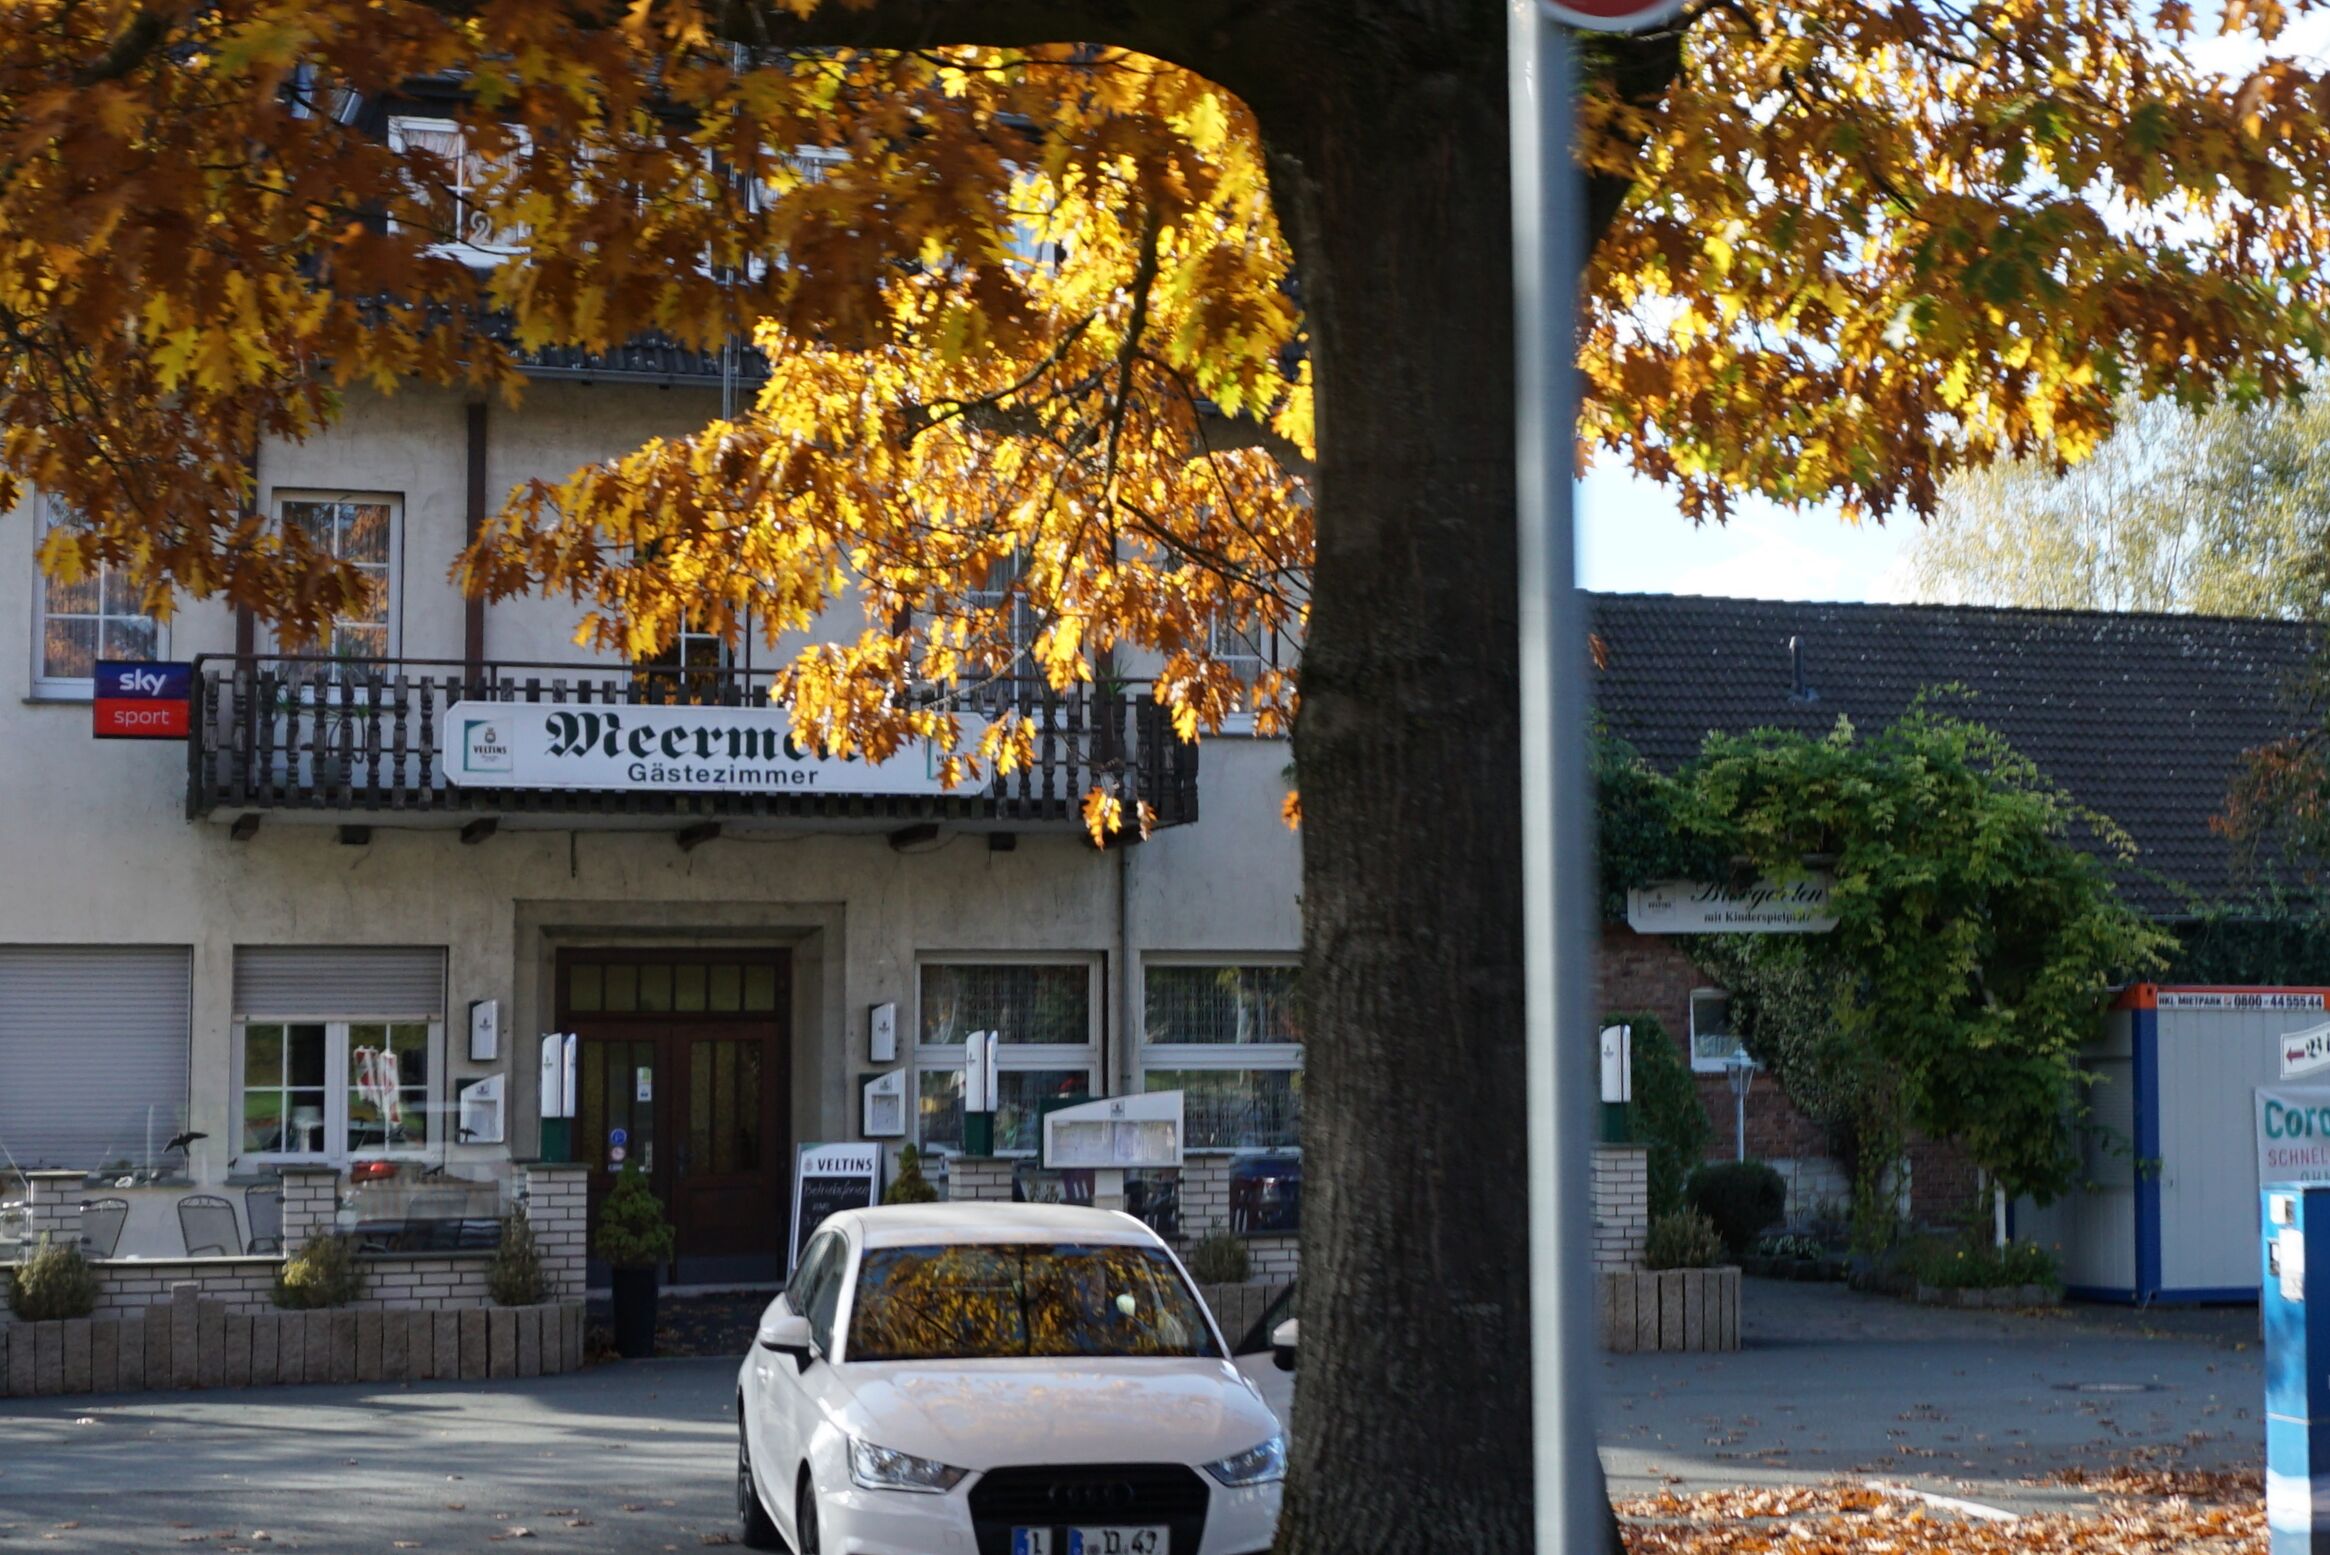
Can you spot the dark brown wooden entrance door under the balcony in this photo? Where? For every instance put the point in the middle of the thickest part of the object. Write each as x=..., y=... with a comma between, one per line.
x=684, y=1062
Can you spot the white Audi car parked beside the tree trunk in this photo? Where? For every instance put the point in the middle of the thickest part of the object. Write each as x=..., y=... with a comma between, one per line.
x=982, y=1379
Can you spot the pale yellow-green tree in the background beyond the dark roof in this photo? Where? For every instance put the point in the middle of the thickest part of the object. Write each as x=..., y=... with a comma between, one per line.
x=2222, y=512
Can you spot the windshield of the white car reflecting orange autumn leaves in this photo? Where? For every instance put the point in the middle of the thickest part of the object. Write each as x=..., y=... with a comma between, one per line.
x=1008, y=1300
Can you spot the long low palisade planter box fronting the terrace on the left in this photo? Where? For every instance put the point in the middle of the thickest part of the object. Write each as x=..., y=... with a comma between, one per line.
x=206, y=1344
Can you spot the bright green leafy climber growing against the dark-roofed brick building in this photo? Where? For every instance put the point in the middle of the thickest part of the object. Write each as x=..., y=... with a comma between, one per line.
x=1979, y=934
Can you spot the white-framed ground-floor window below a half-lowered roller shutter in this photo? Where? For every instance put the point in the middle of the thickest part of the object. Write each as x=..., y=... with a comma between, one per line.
x=339, y=1090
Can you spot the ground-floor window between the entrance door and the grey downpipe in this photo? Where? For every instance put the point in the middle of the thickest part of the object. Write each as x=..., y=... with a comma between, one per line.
x=1043, y=1015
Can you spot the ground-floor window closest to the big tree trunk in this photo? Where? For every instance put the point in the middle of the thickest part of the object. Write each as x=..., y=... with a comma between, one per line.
x=1231, y=1041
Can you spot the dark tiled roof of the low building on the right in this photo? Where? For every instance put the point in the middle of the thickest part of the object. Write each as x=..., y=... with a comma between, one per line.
x=2138, y=717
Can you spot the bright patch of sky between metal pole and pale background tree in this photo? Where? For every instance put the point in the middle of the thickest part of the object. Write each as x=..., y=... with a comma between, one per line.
x=1632, y=540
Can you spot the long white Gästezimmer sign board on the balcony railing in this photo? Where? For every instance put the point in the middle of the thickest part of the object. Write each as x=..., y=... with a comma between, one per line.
x=723, y=750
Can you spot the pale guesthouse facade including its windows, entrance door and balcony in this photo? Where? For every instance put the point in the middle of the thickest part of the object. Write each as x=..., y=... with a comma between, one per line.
x=274, y=936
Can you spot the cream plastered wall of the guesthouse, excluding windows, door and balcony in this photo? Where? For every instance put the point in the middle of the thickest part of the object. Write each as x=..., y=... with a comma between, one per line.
x=94, y=843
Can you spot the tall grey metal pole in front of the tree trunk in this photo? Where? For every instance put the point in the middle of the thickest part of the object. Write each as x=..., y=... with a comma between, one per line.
x=1546, y=262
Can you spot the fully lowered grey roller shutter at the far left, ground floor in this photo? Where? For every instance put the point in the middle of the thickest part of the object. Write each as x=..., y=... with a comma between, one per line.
x=92, y=1053
